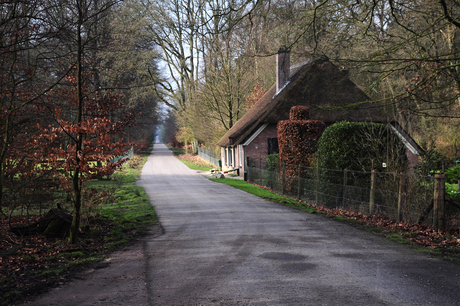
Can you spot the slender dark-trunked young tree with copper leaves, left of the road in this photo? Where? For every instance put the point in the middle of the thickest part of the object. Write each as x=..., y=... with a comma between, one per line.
x=79, y=39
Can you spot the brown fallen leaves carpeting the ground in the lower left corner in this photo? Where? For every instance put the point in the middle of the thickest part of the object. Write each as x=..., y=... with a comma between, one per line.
x=31, y=264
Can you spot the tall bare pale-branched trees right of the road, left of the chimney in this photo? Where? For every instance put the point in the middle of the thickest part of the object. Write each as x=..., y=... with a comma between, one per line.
x=203, y=58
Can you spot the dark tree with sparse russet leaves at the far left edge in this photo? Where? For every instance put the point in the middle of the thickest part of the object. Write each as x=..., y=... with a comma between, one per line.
x=24, y=65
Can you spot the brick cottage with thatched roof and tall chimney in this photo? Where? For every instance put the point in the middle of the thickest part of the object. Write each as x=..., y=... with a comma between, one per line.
x=318, y=84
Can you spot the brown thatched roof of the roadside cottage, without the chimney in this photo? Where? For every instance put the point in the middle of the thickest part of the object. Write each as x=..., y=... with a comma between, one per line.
x=318, y=84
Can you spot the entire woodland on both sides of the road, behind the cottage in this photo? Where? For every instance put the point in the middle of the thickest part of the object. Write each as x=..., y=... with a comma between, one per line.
x=84, y=81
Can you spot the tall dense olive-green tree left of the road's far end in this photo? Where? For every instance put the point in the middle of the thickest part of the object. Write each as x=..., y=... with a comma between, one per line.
x=127, y=62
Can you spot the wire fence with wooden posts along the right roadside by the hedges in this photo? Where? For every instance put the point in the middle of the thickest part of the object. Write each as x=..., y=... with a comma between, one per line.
x=400, y=197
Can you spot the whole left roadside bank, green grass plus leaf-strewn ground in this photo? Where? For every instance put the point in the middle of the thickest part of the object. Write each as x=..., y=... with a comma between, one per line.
x=116, y=213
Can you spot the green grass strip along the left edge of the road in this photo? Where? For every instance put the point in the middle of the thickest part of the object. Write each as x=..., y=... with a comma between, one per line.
x=122, y=213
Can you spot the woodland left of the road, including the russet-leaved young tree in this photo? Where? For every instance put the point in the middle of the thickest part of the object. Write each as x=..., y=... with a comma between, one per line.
x=75, y=94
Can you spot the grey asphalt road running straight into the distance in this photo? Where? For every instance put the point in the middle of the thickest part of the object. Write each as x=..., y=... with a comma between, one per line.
x=222, y=246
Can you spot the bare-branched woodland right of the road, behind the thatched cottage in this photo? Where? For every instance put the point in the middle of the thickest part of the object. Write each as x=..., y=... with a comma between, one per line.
x=218, y=55
